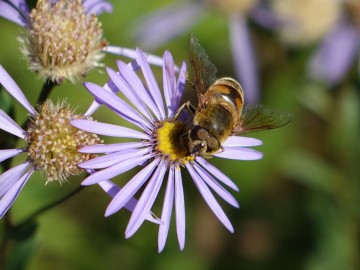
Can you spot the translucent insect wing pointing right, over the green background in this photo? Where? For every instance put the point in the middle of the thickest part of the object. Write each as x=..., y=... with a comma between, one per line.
x=261, y=117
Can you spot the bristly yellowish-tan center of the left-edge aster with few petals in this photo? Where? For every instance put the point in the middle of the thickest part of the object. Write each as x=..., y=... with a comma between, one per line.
x=53, y=143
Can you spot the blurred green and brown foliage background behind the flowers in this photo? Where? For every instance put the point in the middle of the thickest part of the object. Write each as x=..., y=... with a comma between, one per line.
x=300, y=206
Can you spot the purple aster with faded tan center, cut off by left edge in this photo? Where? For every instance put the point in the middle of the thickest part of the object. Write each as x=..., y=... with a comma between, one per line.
x=51, y=146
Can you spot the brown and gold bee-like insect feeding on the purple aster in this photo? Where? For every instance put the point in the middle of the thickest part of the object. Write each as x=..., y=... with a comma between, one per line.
x=221, y=111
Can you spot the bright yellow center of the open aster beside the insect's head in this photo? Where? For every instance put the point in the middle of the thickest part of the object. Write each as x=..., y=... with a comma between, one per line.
x=169, y=141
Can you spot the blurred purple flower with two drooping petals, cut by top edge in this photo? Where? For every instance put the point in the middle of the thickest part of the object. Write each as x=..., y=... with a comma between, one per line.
x=163, y=25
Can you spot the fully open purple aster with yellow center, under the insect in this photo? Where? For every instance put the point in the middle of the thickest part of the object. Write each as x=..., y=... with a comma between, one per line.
x=155, y=146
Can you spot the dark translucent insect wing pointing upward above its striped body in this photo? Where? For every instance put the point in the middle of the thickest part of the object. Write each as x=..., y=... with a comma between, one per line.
x=204, y=71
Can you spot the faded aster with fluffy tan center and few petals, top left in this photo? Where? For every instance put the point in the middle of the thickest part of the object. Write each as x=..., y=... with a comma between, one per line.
x=63, y=39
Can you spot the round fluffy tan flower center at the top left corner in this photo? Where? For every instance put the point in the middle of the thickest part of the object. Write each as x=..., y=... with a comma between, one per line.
x=63, y=42
